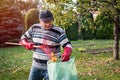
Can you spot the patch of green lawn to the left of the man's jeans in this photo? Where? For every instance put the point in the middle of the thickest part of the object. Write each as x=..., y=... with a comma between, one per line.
x=15, y=63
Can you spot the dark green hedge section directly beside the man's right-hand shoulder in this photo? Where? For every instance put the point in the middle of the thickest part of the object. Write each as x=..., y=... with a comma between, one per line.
x=72, y=32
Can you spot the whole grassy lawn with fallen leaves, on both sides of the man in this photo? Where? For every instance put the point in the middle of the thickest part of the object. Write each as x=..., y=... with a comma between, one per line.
x=94, y=61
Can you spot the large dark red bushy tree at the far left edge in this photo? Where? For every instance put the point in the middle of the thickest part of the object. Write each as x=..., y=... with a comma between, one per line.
x=11, y=21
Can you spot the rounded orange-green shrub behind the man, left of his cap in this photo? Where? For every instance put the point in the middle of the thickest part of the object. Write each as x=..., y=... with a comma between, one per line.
x=31, y=17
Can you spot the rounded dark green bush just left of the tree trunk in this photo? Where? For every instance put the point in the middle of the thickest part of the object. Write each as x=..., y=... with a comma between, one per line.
x=104, y=27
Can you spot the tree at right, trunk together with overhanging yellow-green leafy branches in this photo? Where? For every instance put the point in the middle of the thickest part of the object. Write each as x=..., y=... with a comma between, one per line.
x=105, y=6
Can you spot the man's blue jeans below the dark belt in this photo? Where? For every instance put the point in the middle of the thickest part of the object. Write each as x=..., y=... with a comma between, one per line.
x=38, y=74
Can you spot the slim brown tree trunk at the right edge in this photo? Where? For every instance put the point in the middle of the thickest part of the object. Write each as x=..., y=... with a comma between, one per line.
x=116, y=38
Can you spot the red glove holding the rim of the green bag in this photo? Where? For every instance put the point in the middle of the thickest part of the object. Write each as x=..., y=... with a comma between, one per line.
x=66, y=54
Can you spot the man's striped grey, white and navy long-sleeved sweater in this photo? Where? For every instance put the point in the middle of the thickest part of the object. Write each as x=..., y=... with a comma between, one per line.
x=54, y=38
